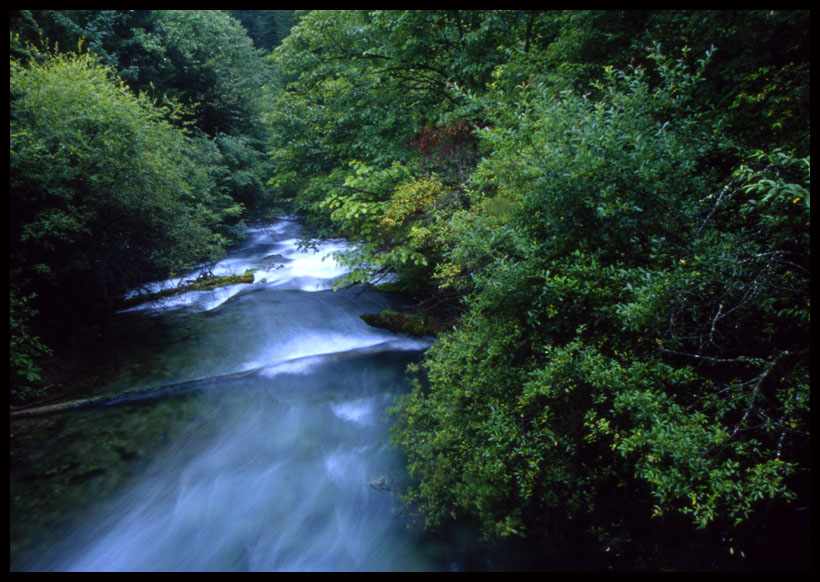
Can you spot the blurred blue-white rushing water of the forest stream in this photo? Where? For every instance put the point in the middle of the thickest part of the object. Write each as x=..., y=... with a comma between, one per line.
x=244, y=429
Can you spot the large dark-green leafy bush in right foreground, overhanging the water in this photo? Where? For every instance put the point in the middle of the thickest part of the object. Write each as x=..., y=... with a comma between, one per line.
x=620, y=363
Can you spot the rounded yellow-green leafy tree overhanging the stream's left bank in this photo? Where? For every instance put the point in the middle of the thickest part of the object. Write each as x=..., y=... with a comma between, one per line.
x=105, y=191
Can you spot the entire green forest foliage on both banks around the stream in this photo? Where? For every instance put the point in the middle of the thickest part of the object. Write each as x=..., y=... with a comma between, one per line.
x=607, y=211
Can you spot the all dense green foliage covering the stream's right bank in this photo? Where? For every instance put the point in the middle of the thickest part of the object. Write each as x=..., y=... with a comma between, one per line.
x=618, y=205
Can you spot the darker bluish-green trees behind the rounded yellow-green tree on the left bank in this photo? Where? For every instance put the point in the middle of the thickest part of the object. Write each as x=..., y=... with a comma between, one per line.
x=201, y=59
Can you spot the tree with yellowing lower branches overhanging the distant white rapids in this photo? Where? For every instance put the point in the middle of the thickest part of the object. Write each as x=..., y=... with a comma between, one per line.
x=371, y=106
